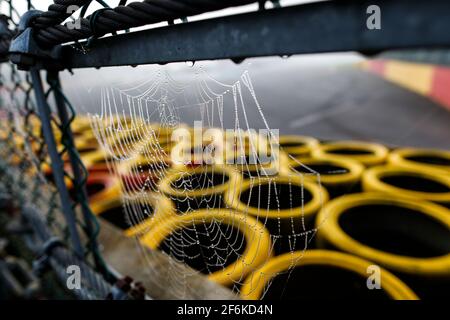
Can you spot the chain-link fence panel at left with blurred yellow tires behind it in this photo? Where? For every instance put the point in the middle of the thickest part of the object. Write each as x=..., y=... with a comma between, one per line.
x=42, y=176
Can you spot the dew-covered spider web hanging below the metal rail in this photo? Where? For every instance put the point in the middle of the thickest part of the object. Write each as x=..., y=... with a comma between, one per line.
x=198, y=181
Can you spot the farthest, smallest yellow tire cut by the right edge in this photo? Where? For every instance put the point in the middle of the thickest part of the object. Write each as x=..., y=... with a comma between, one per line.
x=411, y=158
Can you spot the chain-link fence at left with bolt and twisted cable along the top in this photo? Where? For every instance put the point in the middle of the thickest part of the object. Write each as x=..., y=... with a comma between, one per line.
x=42, y=176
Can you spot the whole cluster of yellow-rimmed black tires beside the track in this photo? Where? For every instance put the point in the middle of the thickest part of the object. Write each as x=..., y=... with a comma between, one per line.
x=376, y=220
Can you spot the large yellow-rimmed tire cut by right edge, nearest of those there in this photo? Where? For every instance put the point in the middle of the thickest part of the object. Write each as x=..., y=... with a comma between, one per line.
x=403, y=235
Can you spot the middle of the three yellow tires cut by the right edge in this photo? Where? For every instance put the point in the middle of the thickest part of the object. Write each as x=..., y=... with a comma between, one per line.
x=416, y=184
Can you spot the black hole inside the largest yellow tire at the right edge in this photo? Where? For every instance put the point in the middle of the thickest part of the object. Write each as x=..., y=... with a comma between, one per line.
x=397, y=230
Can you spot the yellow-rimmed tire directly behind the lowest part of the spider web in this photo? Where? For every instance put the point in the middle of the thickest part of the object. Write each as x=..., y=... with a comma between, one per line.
x=253, y=247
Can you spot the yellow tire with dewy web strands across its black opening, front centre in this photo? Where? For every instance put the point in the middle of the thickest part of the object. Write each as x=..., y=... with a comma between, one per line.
x=257, y=241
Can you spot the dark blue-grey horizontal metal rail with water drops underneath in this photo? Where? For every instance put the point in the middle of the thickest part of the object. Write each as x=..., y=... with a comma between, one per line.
x=329, y=26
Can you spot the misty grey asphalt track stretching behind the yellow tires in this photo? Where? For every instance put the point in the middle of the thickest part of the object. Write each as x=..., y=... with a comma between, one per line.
x=325, y=96
